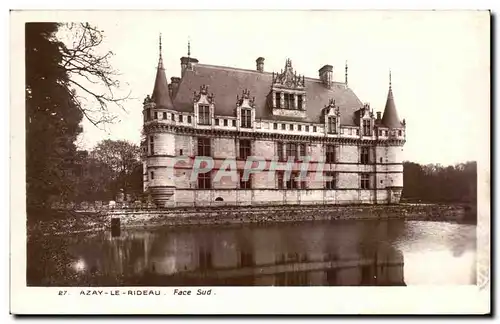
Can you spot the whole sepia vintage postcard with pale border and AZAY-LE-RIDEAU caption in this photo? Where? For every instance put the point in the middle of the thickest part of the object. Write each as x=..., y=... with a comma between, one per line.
x=250, y=162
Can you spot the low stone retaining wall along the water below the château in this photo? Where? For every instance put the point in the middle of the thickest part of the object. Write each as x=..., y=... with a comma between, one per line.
x=261, y=214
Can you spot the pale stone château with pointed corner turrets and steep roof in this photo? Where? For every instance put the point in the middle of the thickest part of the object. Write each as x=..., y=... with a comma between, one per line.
x=283, y=119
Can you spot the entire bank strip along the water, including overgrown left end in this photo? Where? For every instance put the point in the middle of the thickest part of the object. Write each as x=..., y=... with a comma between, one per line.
x=63, y=222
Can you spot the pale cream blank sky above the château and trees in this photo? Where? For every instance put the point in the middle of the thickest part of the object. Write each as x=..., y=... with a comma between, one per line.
x=440, y=63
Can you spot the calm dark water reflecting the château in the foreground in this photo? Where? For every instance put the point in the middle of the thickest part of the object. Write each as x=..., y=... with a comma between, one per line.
x=338, y=253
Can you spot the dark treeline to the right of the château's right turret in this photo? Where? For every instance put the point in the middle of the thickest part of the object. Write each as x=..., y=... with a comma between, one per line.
x=436, y=183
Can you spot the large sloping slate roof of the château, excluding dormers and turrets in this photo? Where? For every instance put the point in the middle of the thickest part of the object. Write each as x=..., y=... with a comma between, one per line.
x=227, y=82
